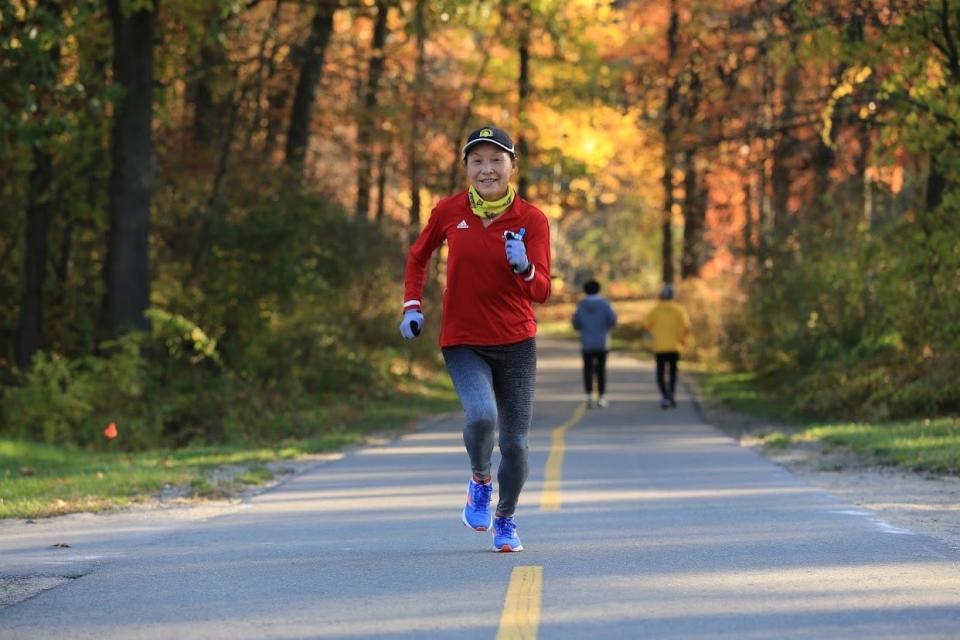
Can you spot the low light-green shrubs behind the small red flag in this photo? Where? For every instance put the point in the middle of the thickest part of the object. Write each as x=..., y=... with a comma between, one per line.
x=162, y=388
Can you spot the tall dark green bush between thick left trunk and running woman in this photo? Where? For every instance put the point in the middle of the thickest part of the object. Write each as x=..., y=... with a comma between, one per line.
x=291, y=287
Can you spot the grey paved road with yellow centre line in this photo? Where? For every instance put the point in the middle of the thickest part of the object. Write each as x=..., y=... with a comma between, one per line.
x=665, y=529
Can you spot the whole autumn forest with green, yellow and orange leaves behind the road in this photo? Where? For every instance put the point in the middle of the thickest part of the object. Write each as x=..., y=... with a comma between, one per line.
x=205, y=204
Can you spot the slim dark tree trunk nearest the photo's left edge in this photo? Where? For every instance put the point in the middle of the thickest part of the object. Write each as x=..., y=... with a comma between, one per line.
x=30, y=327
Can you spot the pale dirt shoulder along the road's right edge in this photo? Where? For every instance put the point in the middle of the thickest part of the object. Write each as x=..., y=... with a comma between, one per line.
x=921, y=503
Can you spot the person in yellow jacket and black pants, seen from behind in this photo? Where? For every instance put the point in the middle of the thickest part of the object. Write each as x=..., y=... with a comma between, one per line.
x=669, y=327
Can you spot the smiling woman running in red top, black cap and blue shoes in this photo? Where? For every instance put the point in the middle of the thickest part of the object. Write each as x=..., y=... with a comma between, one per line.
x=498, y=262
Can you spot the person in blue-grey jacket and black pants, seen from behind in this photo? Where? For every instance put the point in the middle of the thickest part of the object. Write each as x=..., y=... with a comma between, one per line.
x=594, y=319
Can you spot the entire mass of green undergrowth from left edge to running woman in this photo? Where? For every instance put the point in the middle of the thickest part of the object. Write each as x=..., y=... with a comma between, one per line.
x=256, y=336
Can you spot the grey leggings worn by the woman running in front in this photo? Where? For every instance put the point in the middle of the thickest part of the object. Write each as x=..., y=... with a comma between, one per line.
x=495, y=385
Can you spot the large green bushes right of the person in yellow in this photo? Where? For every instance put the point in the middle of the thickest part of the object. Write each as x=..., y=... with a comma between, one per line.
x=857, y=324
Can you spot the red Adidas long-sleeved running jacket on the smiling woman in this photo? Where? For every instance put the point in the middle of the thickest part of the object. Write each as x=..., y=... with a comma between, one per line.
x=484, y=302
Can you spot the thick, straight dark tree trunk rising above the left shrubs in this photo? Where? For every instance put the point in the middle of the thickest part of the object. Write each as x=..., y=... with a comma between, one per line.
x=127, y=268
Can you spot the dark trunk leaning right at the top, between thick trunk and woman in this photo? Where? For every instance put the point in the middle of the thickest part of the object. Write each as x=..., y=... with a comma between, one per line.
x=311, y=69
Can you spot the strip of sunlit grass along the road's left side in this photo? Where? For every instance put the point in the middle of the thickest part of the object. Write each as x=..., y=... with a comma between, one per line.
x=38, y=480
